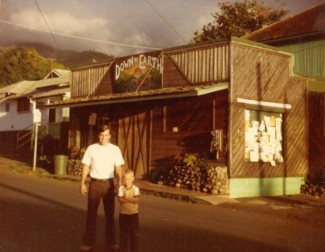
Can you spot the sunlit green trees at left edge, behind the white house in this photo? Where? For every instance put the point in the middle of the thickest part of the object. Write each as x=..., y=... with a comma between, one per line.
x=21, y=63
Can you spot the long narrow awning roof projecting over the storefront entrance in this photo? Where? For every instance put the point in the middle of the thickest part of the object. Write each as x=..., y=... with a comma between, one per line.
x=155, y=94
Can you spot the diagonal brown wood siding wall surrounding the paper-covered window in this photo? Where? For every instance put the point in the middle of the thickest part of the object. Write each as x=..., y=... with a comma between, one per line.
x=263, y=75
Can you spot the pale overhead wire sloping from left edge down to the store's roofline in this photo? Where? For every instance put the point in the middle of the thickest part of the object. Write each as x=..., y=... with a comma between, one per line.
x=78, y=37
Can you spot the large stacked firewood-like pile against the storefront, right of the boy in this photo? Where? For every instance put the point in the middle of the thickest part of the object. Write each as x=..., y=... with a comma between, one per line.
x=192, y=173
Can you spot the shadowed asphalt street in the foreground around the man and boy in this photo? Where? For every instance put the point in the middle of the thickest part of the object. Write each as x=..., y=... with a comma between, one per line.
x=38, y=214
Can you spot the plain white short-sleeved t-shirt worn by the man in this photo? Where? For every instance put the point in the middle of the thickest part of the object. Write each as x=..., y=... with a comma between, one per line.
x=102, y=160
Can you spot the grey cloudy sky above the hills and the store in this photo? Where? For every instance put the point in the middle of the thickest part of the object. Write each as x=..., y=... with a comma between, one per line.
x=116, y=27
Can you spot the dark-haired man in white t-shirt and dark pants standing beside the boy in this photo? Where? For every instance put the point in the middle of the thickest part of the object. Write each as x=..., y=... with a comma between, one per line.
x=101, y=161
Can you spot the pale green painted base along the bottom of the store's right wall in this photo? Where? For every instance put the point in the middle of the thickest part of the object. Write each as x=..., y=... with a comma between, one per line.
x=256, y=187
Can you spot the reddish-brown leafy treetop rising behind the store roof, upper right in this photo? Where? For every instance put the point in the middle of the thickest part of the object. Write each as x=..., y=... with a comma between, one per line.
x=238, y=19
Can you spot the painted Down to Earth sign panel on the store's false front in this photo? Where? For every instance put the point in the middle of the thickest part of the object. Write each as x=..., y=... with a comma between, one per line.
x=138, y=72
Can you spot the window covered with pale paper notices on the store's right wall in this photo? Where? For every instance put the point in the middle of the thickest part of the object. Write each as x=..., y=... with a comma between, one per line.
x=263, y=137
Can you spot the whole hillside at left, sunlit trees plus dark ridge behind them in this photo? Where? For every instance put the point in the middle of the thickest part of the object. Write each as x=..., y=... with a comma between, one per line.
x=35, y=61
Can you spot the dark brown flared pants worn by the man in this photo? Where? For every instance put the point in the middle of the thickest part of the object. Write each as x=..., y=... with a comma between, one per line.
x=100, y=190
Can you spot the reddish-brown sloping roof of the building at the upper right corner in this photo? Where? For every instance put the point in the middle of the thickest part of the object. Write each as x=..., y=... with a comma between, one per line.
x=309, y=22
